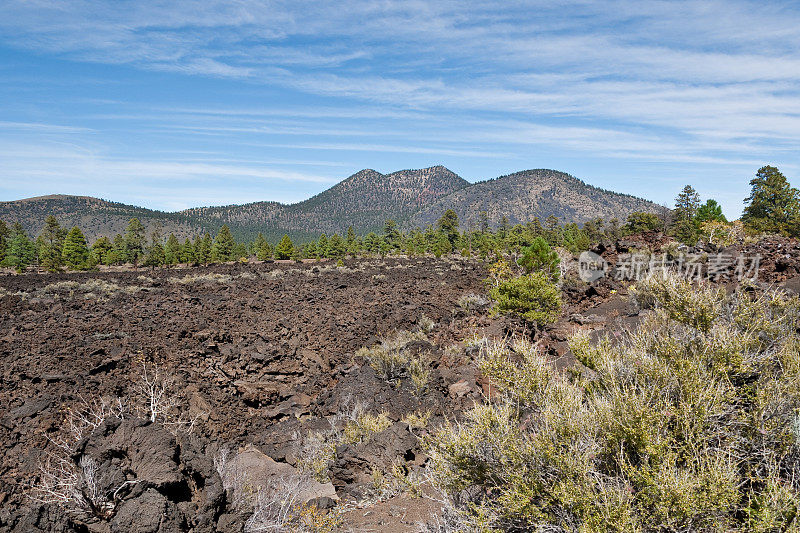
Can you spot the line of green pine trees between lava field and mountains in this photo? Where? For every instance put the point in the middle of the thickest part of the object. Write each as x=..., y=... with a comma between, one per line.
x=772, y=207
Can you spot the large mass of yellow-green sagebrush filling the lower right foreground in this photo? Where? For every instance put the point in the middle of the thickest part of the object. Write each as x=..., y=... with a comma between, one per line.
x=689, y=423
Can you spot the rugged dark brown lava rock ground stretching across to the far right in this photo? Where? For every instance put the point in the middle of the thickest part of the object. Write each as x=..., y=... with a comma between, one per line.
x=264, y=383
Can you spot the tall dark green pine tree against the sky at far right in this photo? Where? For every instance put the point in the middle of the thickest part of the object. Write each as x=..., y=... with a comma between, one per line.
x=773, y=204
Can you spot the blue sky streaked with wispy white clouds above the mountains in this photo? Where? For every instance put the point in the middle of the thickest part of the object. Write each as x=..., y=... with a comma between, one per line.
x=175, y=104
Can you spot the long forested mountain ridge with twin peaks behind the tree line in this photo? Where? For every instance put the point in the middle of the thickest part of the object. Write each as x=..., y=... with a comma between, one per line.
x=364, y=200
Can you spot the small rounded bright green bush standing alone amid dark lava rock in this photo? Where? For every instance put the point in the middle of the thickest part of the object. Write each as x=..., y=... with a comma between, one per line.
x=534, y=297
